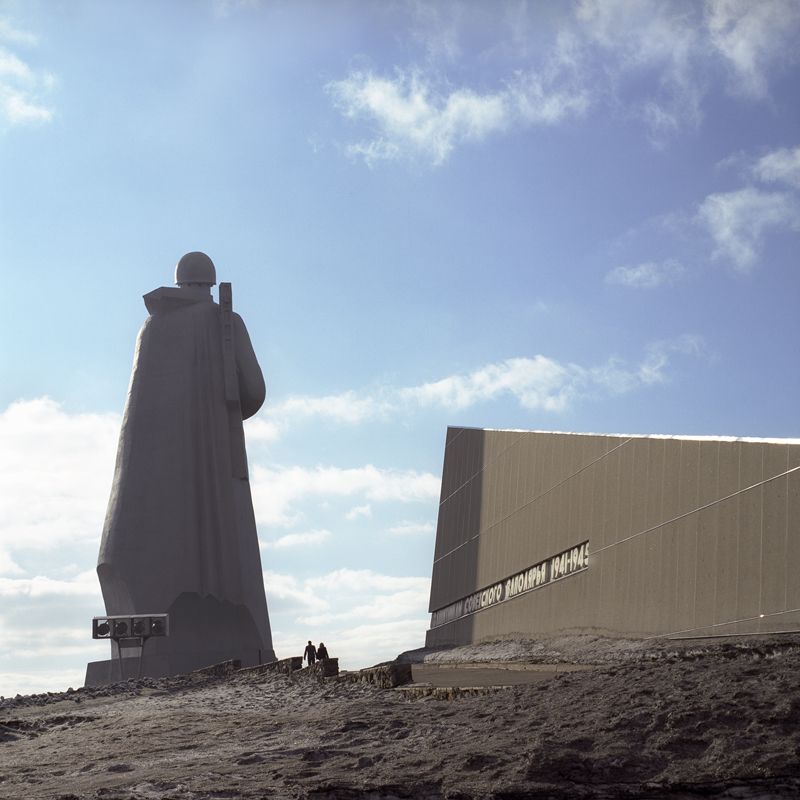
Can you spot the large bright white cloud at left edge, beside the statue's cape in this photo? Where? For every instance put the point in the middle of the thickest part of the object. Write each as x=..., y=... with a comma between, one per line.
x=55, y=472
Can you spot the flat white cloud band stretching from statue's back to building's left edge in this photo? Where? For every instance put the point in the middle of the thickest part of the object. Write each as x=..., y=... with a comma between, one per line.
x=276, y=490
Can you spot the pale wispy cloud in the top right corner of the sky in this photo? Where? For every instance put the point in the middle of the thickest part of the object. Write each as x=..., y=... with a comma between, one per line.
x=752, y=37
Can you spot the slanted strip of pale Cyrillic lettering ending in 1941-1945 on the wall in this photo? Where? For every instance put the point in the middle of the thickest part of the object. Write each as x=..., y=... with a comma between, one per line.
x=576, y=559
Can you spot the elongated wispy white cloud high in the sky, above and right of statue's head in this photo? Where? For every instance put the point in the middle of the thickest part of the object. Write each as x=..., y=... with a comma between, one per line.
x=411, y=118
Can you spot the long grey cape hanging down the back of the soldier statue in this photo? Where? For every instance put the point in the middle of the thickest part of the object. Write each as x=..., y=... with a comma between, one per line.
x=177, y=520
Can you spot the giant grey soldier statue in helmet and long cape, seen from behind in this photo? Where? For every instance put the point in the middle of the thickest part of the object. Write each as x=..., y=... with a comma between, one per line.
x=180, y=534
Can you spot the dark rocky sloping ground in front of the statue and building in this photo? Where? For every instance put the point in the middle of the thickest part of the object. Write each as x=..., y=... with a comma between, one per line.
x=659, y=720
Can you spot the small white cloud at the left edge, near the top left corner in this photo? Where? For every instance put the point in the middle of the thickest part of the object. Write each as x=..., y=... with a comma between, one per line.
x=23, y=89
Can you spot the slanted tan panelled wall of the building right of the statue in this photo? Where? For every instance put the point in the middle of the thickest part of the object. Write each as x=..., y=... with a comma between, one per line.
x=686, y=536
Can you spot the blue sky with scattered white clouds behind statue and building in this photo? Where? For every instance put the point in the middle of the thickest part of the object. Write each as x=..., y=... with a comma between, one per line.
x=573, y=216
